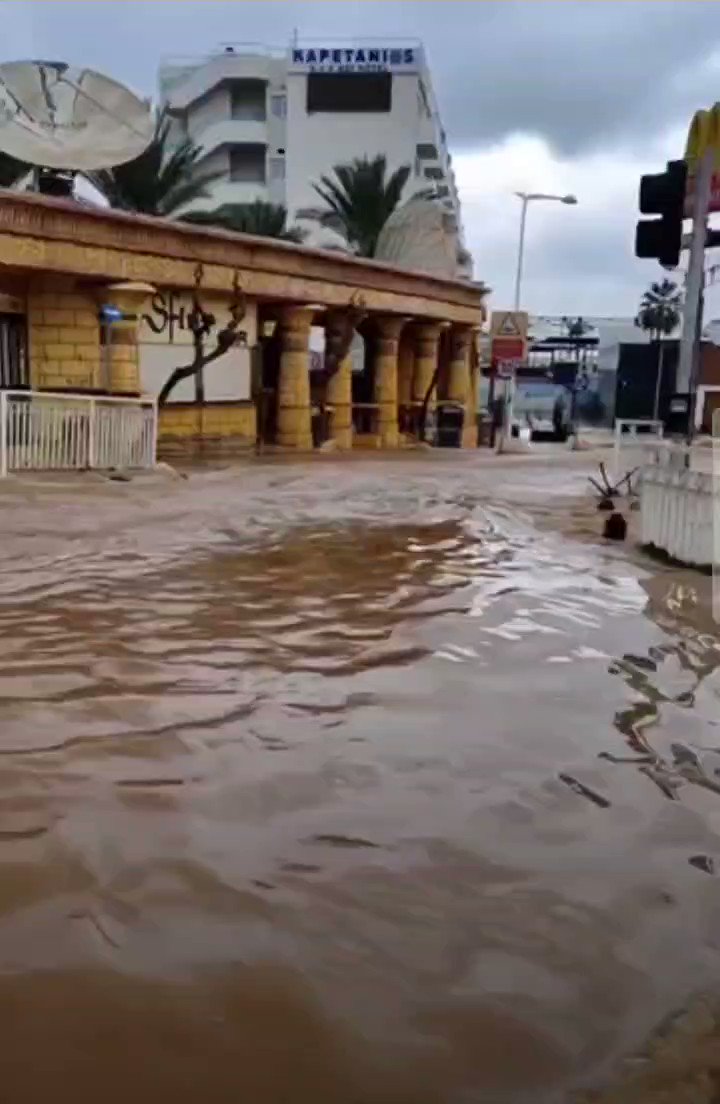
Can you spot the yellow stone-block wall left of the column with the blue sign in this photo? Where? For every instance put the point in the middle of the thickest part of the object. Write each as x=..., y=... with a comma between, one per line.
x=63, y=336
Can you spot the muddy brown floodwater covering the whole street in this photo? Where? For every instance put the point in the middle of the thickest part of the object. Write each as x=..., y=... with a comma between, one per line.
x=374, y=782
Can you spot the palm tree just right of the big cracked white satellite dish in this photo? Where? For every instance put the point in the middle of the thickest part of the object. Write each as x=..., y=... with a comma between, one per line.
x=160, y=182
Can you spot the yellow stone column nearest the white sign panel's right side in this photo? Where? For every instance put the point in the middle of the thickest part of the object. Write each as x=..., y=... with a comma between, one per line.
x=294, y=427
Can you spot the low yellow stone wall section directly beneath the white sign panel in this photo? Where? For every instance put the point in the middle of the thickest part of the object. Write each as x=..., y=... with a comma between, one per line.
x=188, y=430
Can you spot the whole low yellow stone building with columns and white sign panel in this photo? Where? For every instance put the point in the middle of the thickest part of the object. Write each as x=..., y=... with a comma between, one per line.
x=100, y=302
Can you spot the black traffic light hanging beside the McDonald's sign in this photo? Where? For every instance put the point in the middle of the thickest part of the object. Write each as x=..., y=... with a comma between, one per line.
x=664, y=195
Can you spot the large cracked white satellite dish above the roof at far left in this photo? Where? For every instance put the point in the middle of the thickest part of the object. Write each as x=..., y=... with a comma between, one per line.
x=57, y=116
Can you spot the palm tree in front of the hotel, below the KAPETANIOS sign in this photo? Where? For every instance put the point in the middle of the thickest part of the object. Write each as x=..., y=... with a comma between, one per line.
x=361, y=200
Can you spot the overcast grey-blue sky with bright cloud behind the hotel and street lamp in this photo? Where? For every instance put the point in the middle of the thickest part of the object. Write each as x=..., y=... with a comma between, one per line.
x=544, y=95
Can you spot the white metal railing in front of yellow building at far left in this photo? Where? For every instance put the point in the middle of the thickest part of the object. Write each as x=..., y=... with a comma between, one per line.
x=46, y=431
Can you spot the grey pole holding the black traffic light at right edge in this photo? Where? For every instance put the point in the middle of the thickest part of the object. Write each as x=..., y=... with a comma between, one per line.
x=692, y=315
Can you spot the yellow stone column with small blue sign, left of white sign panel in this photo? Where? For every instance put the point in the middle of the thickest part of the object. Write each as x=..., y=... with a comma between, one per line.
x=120, y=366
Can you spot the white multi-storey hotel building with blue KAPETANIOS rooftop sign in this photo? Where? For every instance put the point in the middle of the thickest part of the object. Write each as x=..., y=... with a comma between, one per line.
x=274, y=122
